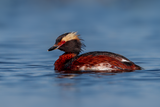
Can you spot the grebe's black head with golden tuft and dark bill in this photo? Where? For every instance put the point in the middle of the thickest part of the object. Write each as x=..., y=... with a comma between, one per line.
x=68, y=42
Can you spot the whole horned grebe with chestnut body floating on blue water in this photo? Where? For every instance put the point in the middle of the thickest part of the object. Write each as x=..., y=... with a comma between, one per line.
x=71, y=44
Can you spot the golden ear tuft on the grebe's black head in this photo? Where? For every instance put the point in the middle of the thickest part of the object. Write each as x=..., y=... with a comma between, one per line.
x=70, y=36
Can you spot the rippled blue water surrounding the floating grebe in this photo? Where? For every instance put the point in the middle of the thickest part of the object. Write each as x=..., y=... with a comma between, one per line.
x=29, y=28
